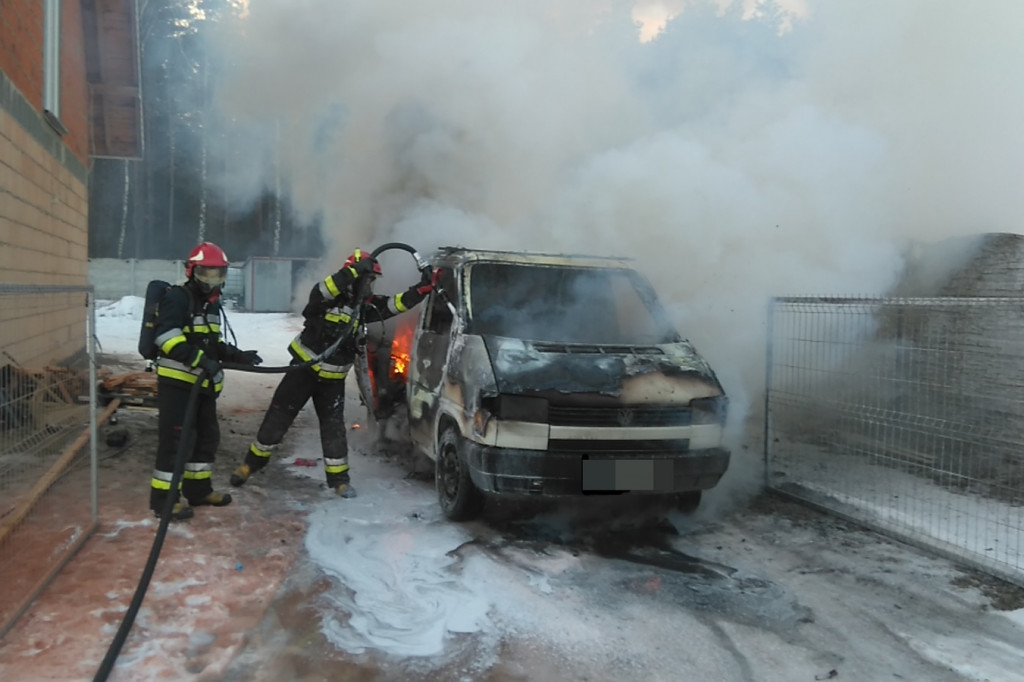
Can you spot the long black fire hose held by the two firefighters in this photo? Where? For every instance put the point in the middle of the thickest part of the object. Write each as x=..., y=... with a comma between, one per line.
x=188, y=442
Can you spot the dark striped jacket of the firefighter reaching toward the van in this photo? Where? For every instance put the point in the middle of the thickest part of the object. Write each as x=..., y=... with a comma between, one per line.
x=329, y=315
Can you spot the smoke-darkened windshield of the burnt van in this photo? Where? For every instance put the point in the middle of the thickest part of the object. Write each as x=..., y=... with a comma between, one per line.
x=565, y=305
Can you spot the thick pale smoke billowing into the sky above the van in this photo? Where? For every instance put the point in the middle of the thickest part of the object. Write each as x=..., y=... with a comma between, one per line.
x=737, y=151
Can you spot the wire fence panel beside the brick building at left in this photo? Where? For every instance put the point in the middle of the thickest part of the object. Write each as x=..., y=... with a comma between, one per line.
x=48, y=437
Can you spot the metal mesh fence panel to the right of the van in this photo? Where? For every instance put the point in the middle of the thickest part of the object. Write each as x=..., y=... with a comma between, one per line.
x=907, y=415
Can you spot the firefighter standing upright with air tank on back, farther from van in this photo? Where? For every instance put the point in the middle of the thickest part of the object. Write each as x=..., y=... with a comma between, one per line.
x=188, y=335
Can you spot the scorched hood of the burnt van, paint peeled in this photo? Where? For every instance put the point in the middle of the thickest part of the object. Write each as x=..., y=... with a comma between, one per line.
x=529, y=367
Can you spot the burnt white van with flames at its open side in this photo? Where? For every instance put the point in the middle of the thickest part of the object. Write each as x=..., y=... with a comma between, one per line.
x=548, y=375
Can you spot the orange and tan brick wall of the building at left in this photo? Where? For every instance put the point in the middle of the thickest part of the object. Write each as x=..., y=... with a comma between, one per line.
x=44, y=188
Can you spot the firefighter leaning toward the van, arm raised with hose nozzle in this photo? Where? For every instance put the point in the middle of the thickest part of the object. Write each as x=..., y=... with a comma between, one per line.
x=328, y=316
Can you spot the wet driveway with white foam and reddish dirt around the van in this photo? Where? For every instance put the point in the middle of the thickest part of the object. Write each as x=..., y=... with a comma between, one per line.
x=279, y=586
